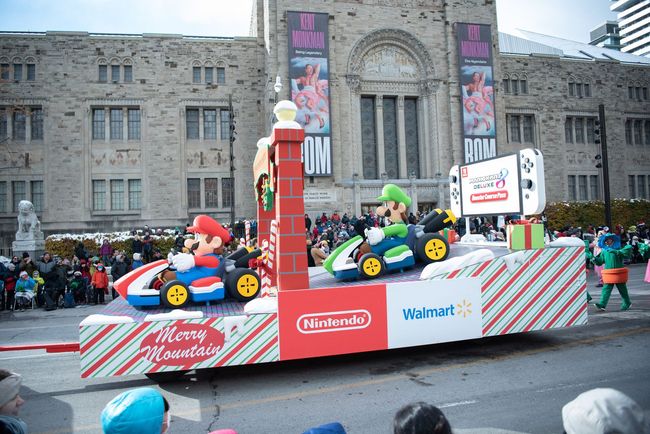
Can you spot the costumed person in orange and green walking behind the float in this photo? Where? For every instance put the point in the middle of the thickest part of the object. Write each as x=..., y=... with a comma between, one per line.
x=614, y=273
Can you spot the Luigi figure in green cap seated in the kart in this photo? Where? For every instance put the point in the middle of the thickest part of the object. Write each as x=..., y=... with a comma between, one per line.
x=396, y=237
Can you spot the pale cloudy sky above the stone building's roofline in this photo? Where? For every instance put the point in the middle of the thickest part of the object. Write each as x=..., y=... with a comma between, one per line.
x=569, y=19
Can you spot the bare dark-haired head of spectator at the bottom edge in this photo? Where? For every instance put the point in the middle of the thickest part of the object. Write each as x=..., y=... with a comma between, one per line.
x=420, y=418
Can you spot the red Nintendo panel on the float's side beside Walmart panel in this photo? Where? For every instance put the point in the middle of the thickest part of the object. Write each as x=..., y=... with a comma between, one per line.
x=330, y=321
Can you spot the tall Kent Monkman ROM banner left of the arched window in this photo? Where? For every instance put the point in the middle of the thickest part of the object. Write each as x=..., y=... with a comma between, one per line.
x=309, y=78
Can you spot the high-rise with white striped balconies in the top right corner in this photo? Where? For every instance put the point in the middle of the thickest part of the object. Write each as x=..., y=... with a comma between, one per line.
x=634, y=25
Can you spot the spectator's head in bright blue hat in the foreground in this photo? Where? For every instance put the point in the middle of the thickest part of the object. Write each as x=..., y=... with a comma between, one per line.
x=143, y=410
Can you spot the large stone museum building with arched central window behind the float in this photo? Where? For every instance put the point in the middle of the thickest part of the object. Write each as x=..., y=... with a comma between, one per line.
x=107, y=132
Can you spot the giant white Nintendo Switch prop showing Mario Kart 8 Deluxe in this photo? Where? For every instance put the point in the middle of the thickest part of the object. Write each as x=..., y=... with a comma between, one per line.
x=510, y=184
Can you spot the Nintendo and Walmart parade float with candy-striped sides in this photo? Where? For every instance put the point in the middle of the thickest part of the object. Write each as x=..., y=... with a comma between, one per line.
x=479, y=290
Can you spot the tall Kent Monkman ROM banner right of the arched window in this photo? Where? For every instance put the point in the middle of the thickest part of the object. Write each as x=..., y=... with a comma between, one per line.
x=477, y=91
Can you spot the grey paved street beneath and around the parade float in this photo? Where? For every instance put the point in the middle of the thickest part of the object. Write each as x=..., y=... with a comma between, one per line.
x=516, y=382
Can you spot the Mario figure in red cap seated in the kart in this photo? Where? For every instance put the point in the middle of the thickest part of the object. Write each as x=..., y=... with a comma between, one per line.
x=200, y=267
